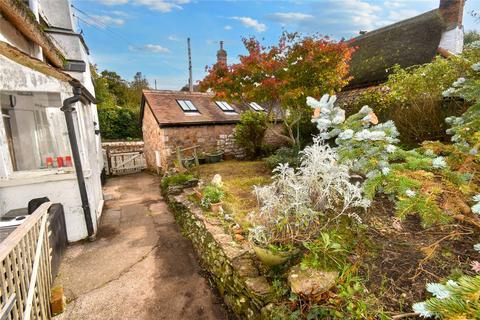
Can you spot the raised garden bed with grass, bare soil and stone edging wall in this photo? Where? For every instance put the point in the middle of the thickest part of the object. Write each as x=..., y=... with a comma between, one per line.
x=388, y=261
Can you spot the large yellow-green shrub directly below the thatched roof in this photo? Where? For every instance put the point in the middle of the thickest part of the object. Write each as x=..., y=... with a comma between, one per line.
x=413, y=99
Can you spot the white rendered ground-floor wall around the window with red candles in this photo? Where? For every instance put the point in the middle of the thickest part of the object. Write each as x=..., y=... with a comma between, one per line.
x=17, y=188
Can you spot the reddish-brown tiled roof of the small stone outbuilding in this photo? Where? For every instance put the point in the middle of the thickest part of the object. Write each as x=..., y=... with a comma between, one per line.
x=168, y=112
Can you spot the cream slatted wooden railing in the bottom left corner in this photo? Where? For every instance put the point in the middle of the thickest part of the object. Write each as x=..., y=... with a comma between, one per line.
x=25, y=276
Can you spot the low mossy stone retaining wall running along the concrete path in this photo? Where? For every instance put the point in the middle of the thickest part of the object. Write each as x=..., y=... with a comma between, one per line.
x=231, y=266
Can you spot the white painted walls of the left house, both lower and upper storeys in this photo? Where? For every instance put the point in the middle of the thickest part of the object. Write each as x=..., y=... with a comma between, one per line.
x=60, y=185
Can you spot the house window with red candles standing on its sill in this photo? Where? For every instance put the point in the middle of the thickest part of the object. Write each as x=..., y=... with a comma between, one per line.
x=35, y=130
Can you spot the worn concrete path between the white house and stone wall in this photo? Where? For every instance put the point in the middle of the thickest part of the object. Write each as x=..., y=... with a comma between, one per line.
x=140, y=266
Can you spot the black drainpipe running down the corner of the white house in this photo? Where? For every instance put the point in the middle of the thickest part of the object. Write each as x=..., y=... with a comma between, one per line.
x=68, y=109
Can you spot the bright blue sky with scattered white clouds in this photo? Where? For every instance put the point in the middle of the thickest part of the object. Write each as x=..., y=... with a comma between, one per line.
x=150, y=36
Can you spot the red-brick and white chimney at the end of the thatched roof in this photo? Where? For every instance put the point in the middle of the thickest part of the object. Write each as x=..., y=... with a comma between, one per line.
x=452, y=37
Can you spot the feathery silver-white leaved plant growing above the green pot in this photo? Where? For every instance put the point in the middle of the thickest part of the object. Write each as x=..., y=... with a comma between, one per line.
x=299, y=203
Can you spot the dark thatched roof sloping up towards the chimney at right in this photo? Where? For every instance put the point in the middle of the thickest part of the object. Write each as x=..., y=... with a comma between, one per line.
x=409, y=42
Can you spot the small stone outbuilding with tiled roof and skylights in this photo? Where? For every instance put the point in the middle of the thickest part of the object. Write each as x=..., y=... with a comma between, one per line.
x=172, y=119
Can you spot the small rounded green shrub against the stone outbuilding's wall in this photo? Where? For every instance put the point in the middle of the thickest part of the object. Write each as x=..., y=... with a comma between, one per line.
x=249, y=133
